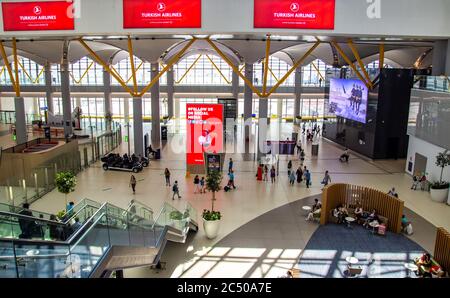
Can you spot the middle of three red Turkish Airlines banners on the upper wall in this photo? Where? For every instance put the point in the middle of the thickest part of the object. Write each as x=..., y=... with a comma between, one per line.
x=162, y=14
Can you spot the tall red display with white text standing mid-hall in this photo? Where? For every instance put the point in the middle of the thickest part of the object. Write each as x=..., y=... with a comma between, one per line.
x=204, y=131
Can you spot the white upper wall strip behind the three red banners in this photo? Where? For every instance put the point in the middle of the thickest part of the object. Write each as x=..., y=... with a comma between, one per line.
x=413, y=18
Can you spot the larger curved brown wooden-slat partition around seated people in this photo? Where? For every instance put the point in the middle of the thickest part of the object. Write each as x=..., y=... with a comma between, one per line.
x=386, y=205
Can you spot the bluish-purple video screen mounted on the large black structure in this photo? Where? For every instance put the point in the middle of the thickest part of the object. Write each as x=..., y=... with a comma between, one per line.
x=348, y=99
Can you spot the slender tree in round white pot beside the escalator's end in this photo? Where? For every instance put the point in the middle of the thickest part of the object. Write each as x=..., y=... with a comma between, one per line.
x=211, y=218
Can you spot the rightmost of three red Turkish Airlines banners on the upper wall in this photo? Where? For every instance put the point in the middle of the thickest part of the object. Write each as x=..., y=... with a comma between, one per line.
x=294, y=14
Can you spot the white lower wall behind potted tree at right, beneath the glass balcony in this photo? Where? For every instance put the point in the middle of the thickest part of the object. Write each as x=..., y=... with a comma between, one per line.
x=430, y=151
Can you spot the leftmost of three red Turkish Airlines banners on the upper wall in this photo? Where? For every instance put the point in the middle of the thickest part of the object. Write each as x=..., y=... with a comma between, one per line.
x=37, y=15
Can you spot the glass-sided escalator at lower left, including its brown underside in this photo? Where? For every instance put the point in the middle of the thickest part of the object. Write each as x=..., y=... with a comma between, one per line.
x=108, y=238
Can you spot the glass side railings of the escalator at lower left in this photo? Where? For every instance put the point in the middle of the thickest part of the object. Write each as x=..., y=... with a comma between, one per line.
x=38, y=252
